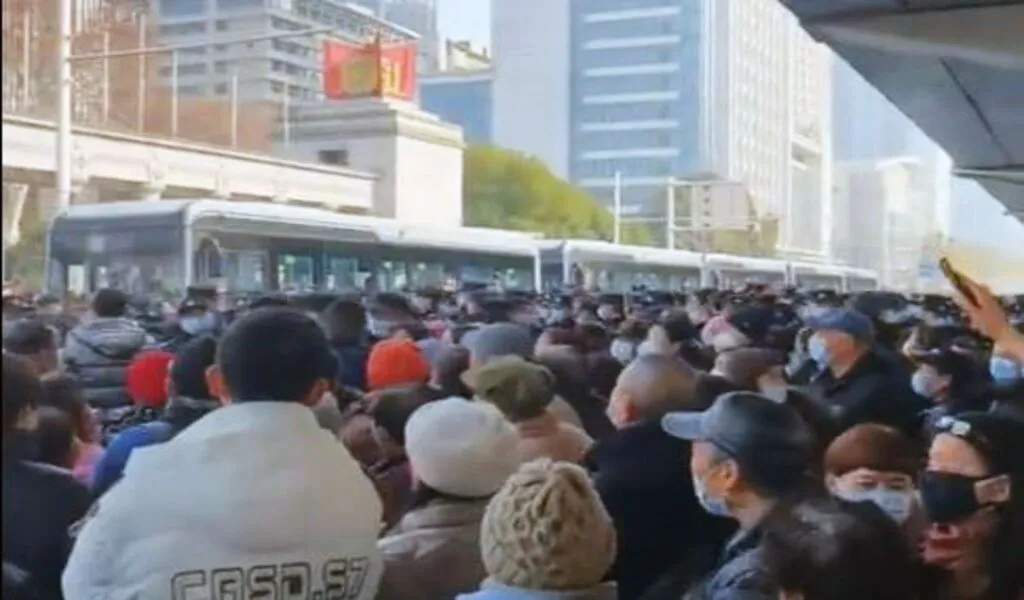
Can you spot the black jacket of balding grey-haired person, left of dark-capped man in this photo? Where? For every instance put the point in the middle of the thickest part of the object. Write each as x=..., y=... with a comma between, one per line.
x=644, y=478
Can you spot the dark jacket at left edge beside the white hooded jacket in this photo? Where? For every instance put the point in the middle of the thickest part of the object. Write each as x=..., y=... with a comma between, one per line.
x=40, y=504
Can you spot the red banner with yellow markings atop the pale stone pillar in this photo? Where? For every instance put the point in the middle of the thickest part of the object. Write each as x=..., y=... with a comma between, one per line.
x=373, y=70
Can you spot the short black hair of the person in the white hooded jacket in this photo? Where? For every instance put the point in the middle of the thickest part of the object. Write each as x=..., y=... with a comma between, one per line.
x=275, y=355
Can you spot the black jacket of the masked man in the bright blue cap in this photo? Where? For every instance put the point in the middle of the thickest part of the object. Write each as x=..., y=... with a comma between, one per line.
x=876, y=391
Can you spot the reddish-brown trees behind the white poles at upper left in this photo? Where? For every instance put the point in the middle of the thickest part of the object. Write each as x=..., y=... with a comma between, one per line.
x=108, y=94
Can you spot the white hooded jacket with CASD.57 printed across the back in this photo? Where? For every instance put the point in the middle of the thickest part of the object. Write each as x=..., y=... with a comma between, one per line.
x=254, y=500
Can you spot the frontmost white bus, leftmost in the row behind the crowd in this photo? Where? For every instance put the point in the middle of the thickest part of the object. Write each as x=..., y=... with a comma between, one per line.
x=166, y=246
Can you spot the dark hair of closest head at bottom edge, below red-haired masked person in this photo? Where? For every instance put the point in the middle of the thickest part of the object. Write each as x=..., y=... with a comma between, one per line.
x=828, y=550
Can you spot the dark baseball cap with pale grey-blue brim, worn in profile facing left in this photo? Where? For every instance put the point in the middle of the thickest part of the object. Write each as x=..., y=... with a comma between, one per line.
x=755, y=431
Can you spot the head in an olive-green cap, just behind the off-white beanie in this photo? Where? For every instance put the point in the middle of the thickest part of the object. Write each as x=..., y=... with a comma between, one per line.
x=520, y=390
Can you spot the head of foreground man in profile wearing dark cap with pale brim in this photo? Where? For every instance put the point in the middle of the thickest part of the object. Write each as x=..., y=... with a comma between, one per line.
x=749, y=452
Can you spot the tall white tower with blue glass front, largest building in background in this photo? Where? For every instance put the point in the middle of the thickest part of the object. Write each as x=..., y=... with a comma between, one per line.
x=660, y=90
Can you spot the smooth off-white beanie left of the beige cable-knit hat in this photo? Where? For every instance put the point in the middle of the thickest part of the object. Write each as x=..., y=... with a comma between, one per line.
x=461, y=449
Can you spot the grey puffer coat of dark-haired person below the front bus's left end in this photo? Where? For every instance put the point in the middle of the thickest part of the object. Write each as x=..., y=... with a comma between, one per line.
x=99, y=354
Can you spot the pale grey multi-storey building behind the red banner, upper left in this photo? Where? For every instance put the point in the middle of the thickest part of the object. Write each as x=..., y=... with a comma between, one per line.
x=269, y=70
